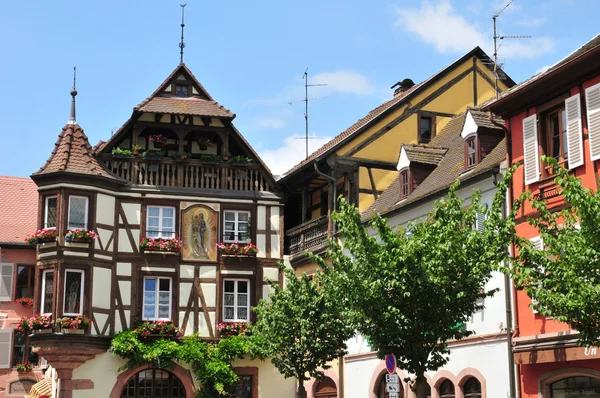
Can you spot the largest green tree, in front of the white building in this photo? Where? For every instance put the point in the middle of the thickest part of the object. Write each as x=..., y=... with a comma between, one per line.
x=411, y=292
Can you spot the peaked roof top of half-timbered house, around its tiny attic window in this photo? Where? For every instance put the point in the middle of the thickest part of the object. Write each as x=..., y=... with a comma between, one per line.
x=201, y=105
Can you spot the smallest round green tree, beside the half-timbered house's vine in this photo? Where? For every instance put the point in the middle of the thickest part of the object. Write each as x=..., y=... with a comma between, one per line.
x=302, y=327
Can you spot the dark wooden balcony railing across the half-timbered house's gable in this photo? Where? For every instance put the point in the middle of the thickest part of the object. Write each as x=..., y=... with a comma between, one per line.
x=192, y=173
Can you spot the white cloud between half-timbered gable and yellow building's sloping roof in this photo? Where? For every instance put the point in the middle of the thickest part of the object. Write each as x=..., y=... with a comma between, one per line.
x=292, y=152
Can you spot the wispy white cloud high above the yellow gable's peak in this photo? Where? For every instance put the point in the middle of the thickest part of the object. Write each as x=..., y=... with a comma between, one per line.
x=441, y=26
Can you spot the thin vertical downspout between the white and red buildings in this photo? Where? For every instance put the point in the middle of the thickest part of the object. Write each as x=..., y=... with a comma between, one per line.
x=508, y=286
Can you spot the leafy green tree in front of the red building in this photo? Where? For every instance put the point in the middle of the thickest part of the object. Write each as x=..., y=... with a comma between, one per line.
x=563, y=274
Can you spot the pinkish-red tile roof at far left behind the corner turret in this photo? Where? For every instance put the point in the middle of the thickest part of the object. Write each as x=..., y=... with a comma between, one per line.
x=19, y=210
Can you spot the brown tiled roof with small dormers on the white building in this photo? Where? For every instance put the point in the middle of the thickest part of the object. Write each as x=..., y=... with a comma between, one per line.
x=449, y=169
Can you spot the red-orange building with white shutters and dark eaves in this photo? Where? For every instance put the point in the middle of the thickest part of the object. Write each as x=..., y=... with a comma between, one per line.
x=555, y=113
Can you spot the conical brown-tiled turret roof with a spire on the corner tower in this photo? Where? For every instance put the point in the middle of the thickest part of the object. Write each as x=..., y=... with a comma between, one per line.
x=73, y=154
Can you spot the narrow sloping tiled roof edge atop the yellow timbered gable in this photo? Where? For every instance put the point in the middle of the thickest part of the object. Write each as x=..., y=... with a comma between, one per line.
x=389, y=106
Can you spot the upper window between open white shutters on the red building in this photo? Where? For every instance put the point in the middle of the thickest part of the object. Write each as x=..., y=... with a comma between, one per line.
x=555, y=135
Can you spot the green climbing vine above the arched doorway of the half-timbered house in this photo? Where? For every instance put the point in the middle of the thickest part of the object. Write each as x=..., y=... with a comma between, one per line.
x=211, y=362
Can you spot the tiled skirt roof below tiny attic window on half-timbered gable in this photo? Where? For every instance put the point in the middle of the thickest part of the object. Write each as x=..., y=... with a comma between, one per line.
x=184, y=106
